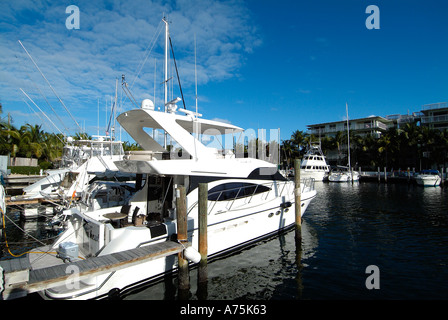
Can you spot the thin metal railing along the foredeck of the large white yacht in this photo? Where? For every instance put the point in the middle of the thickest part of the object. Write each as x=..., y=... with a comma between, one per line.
x=248, y=192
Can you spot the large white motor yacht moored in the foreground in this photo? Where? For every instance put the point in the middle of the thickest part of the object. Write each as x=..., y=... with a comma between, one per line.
x=248, y=199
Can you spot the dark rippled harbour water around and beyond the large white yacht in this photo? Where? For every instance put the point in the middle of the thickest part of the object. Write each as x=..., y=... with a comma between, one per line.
x=402, y=229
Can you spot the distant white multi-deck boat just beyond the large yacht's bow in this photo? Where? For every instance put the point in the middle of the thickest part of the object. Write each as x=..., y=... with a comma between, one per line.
x=314, y=165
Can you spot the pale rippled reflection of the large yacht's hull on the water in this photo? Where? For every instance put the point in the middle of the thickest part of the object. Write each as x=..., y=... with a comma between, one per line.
x=266, y=270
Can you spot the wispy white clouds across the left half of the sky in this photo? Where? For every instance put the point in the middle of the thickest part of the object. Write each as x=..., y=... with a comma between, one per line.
x=82, y=65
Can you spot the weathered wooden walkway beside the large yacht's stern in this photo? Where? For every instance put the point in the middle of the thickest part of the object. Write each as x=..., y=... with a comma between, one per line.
x=19, y=280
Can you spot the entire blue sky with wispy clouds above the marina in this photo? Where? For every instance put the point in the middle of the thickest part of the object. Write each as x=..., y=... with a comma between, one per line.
x=261, y=63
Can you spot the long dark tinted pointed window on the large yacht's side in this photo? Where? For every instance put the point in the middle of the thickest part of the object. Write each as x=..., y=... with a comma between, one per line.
x=228, y=191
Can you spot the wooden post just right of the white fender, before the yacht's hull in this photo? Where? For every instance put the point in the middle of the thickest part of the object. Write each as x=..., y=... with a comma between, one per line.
x=203, y=247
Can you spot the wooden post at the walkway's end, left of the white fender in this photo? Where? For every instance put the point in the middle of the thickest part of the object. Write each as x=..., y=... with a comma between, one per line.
x=182, y=237
